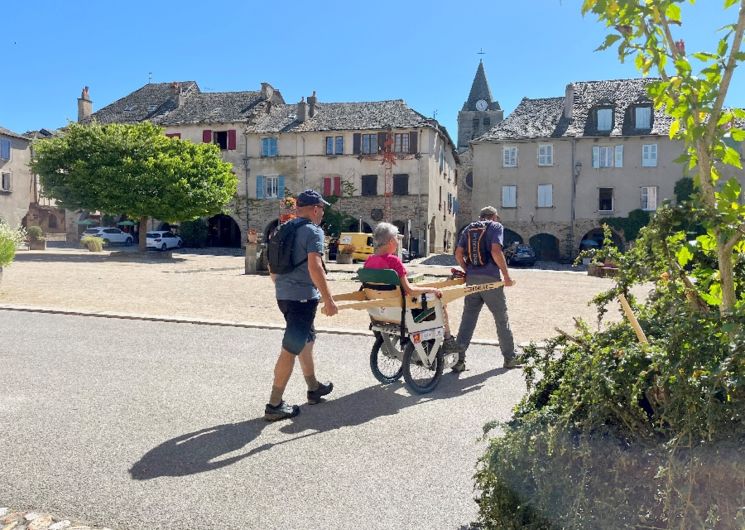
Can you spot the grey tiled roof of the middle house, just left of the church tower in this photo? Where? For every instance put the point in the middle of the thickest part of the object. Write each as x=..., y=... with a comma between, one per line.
x=343, y=117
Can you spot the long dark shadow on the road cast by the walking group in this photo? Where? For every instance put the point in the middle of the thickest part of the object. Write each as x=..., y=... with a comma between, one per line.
x=201, y=451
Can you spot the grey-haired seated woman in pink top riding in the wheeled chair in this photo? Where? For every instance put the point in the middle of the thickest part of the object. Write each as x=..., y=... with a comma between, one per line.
x=385, y=242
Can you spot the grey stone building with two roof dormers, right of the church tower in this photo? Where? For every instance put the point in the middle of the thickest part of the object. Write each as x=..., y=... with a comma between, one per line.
x=556, y=167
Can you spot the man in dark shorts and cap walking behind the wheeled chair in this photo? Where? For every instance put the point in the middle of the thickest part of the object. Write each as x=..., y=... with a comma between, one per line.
x=295, y=255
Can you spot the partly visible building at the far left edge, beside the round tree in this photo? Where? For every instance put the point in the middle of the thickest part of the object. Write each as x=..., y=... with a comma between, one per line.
x=15, y=177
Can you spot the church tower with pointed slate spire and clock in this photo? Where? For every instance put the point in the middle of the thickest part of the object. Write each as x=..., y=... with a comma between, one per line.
x=479, y=114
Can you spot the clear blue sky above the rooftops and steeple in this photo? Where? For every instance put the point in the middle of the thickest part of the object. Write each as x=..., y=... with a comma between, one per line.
x=422, y=52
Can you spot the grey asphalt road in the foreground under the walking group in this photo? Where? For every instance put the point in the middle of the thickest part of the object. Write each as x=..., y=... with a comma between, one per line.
x=142, y=425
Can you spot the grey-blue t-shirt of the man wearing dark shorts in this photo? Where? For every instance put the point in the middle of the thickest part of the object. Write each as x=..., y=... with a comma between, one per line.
x=297, y=285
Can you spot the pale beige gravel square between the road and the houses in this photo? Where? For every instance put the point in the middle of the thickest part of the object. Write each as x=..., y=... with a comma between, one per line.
x=215, y=287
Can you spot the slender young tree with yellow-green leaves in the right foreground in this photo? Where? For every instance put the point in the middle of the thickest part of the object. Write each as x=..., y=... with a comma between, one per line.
x=695, y=101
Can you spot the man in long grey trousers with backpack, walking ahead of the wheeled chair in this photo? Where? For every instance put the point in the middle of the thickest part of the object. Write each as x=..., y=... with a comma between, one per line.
x=480, y=254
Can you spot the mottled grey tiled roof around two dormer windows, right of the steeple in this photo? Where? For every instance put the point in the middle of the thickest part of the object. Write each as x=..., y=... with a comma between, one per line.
x=543, y=118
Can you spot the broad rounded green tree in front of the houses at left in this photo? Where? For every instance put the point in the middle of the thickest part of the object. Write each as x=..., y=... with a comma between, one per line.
x=134, y=170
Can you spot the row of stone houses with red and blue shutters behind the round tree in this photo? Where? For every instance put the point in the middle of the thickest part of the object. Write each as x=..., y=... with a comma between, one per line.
x=277, y=147
